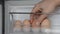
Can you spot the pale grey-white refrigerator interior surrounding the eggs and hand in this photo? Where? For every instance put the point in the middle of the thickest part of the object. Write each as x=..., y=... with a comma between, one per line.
x=27, y=6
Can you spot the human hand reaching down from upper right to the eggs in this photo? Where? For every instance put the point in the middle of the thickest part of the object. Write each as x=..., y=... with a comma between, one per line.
x=46, y=7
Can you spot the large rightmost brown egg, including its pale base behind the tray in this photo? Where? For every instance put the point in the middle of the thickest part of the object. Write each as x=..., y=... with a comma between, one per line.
x=45, y=26
